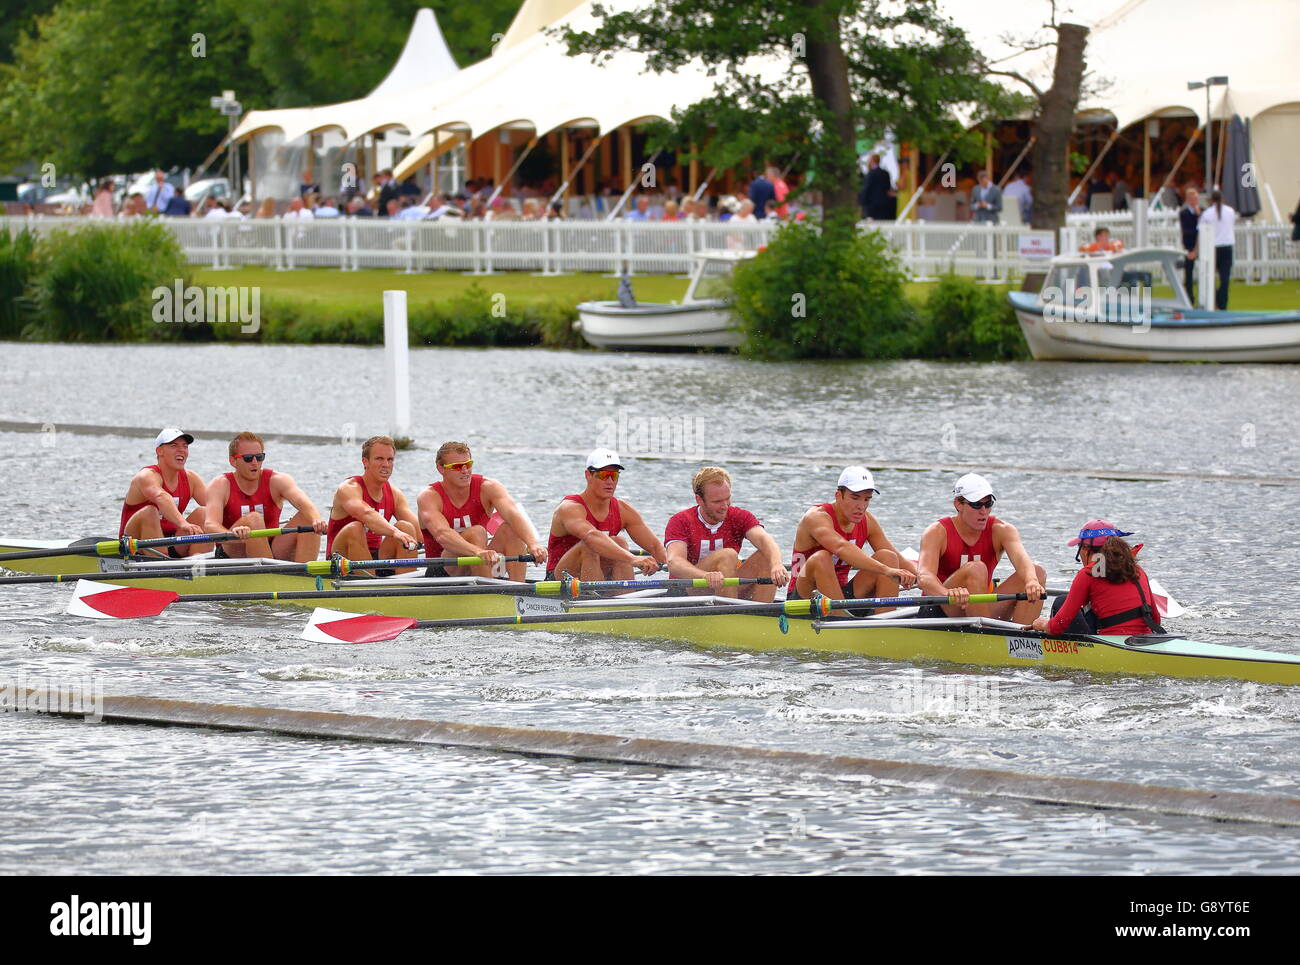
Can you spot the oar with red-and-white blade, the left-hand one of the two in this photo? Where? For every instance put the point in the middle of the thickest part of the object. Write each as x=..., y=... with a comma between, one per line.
x=109, y=601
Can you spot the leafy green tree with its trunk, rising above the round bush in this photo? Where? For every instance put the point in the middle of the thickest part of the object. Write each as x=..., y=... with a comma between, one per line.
x=855, y=68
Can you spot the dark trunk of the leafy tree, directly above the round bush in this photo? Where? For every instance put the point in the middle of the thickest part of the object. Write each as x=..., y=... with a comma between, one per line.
x=829, y=72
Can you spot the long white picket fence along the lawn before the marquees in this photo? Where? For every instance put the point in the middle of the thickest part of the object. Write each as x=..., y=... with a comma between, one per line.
x=928, y=249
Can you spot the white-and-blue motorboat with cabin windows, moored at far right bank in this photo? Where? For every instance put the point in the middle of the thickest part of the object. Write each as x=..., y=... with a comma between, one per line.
x=1132, y=306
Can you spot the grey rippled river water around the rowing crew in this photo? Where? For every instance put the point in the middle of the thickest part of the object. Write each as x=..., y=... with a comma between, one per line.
x=101, y=799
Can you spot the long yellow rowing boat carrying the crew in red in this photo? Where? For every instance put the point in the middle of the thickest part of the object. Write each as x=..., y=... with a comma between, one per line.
x=896, y=637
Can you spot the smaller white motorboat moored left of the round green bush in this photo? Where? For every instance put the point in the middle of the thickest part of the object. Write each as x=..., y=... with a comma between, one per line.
x=699, y=322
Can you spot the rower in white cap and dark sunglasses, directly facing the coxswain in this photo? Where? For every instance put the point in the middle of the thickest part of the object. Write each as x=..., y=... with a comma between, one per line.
x=960, y=553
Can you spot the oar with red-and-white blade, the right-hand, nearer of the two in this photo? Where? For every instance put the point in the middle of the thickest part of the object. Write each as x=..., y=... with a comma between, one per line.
x=336, y=628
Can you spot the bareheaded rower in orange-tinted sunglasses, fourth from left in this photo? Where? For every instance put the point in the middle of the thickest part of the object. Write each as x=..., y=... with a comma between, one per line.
x=469, y=516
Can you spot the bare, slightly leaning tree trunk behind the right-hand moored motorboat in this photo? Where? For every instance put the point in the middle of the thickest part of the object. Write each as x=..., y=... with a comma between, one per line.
x=1054, y=128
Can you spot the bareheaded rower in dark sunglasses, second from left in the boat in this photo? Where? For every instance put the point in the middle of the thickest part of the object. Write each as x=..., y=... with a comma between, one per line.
x=252, y=499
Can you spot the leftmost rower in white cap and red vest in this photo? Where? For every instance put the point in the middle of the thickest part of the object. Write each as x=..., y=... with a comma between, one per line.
x=158, y=496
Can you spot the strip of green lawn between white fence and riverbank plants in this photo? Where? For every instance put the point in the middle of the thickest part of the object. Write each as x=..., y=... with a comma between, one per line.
x=366, y=288
